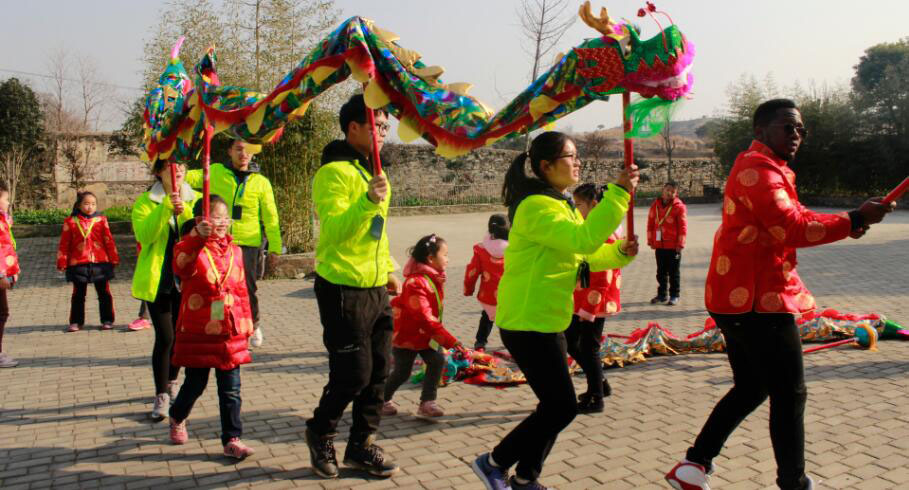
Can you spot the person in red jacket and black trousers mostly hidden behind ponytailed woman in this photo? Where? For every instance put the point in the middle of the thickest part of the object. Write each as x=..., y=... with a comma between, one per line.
x=592, y=304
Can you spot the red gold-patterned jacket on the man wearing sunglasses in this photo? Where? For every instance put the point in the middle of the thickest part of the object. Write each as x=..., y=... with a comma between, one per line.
x=754, y=261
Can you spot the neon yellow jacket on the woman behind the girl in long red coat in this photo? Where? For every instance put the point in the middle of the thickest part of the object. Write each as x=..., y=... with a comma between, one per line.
x=151, y=219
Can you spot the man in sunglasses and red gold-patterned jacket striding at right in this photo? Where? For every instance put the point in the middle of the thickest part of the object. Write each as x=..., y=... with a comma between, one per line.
x=753, y=293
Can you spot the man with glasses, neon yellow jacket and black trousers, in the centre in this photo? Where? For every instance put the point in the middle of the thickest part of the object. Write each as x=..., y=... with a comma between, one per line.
x=353, y=282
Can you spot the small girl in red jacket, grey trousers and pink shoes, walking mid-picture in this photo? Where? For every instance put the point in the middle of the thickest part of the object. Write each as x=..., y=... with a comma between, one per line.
x=418, y=324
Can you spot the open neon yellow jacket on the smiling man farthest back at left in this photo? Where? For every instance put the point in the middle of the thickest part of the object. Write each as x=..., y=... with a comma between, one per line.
x=257, y=199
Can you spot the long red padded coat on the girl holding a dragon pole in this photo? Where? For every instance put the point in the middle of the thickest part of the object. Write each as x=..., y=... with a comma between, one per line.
x=202, y=340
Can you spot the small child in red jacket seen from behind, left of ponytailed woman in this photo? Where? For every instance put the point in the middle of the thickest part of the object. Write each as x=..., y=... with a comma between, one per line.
x=487, y=265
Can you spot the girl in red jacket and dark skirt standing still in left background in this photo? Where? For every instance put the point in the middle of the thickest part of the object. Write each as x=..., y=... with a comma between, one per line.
x=88, y=254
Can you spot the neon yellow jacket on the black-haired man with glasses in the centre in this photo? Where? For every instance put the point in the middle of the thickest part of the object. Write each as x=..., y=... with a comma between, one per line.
x=346, y=253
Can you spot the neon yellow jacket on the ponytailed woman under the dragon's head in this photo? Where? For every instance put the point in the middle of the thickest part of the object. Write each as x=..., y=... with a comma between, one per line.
x=546, y=245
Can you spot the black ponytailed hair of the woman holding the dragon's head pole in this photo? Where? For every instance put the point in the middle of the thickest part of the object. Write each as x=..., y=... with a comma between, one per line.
x=518, y=185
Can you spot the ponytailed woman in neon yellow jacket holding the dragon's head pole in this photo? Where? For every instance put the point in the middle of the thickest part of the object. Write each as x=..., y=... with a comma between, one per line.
x=551, y=247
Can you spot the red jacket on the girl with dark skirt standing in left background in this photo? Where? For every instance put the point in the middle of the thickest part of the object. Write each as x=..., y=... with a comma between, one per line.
x=86, y=241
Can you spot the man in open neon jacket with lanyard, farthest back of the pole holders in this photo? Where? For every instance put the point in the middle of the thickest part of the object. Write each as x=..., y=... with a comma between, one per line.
x=251, y=201
